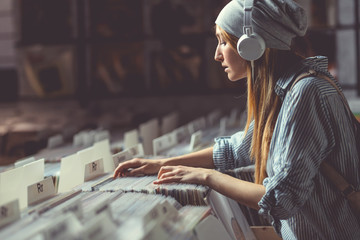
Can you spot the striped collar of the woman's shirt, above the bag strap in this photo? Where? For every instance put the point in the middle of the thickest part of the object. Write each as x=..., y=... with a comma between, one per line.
x=317, y=63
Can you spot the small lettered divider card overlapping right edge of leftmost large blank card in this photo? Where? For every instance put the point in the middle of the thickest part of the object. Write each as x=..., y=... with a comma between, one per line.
x=41, y=190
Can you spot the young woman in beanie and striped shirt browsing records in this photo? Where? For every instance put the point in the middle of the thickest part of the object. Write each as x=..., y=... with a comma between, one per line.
x=291, y=129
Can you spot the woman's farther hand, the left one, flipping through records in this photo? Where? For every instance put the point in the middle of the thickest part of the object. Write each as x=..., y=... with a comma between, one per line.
x=138, y=166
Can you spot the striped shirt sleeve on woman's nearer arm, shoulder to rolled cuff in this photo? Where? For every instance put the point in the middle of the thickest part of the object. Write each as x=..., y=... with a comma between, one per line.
x=302, y=139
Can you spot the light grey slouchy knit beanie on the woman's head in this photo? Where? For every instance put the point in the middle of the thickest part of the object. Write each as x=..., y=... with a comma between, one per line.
x=276, y=21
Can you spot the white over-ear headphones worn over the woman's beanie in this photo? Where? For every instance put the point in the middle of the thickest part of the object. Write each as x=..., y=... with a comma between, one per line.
x=250, y=46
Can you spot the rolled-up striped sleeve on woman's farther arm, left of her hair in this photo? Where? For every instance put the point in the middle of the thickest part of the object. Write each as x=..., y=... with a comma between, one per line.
x=233, y=151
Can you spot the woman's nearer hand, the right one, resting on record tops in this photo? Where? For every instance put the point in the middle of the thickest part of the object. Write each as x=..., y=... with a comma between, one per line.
x=183, y=174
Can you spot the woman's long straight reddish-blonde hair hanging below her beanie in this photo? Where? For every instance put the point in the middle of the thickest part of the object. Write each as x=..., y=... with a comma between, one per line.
x=263, y=104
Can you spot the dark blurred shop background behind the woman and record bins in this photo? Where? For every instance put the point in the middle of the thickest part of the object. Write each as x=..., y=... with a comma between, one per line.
x=67, y=65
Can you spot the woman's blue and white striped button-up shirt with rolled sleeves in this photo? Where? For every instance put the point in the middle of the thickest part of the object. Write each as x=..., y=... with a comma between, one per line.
x=312, y=127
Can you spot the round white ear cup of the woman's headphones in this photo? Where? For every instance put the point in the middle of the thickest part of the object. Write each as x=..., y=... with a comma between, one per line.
x=251, y=47
